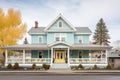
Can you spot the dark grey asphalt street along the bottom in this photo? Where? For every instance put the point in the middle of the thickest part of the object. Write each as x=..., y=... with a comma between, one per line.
x=58, y=77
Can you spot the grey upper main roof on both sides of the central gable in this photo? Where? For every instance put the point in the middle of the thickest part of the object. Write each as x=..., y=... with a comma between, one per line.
x=41, y=30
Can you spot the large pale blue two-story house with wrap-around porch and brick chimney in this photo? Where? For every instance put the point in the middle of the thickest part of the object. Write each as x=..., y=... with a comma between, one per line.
x=60, y=44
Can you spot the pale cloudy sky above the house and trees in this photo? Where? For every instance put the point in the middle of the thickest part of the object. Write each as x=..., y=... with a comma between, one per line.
x=80, y=13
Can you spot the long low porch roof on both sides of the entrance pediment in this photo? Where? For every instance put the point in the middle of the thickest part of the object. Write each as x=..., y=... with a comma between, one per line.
x=45, y=47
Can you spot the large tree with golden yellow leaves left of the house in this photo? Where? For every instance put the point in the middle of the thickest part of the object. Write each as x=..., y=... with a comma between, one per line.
x=11, y=28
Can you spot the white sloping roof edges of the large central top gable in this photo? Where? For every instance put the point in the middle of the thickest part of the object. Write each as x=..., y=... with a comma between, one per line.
x=59, y=16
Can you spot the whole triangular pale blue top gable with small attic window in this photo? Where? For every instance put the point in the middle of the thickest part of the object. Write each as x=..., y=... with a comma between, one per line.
x=56, y=26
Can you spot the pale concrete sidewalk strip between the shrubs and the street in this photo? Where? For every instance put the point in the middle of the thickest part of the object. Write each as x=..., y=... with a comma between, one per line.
x=63, y=71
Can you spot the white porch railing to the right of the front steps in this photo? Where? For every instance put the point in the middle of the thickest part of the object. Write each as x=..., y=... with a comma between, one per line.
x=87, y=60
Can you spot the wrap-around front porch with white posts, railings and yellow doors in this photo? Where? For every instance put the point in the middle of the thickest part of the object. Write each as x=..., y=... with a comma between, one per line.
x=56, y=55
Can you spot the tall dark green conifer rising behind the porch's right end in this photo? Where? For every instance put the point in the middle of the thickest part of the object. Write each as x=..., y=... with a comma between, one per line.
x=101, y=35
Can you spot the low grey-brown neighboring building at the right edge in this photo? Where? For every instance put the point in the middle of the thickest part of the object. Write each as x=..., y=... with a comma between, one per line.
x=114, y=58
